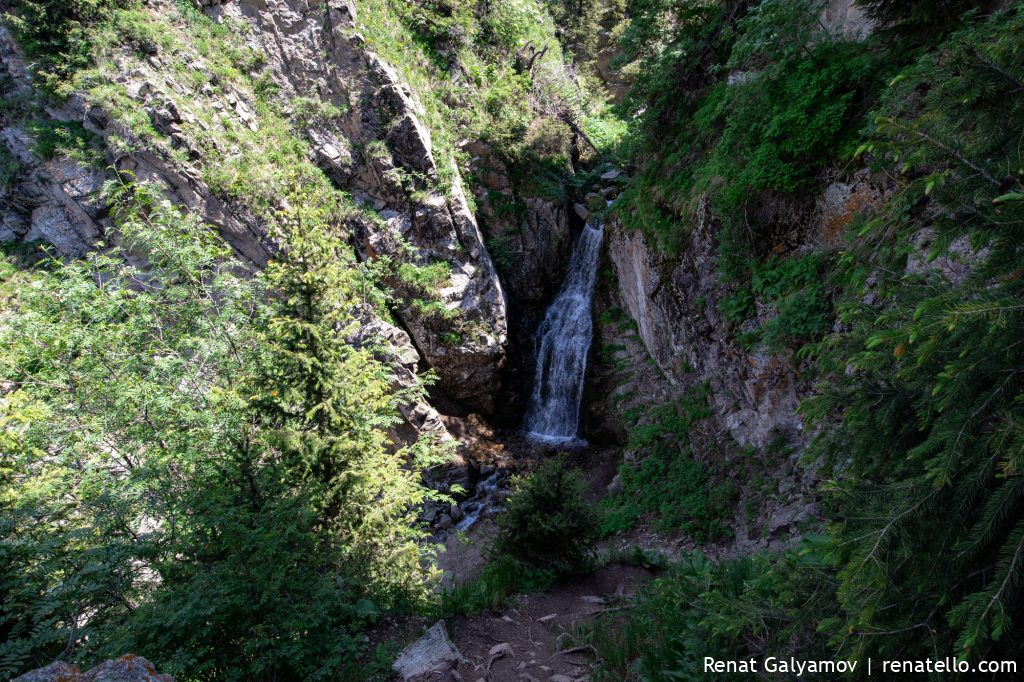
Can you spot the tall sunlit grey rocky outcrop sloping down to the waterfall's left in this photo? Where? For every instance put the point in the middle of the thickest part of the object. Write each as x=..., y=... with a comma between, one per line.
x=314, y=50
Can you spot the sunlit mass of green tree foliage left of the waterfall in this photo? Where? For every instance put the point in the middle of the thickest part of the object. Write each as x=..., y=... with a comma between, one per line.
x=196, y=457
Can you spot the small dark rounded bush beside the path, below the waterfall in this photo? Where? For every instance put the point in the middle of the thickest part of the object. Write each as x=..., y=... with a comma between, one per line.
x=549, y=523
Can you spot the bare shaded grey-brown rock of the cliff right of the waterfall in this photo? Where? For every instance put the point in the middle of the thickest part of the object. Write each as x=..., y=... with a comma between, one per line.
x=754, y=394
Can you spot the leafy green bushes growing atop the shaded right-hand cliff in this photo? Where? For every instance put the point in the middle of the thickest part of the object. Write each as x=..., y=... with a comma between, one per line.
x=765, y=101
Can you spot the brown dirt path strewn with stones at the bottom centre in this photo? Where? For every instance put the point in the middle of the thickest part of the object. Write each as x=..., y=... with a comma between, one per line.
x=532, y=642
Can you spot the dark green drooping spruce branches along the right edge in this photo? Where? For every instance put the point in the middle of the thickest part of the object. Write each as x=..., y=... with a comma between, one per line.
x=928, y=382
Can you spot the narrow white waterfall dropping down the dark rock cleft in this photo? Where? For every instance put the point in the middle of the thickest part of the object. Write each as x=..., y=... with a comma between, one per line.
x=564, y=342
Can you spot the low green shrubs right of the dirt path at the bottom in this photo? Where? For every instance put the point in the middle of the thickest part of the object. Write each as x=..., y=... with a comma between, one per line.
x=738, y=610
